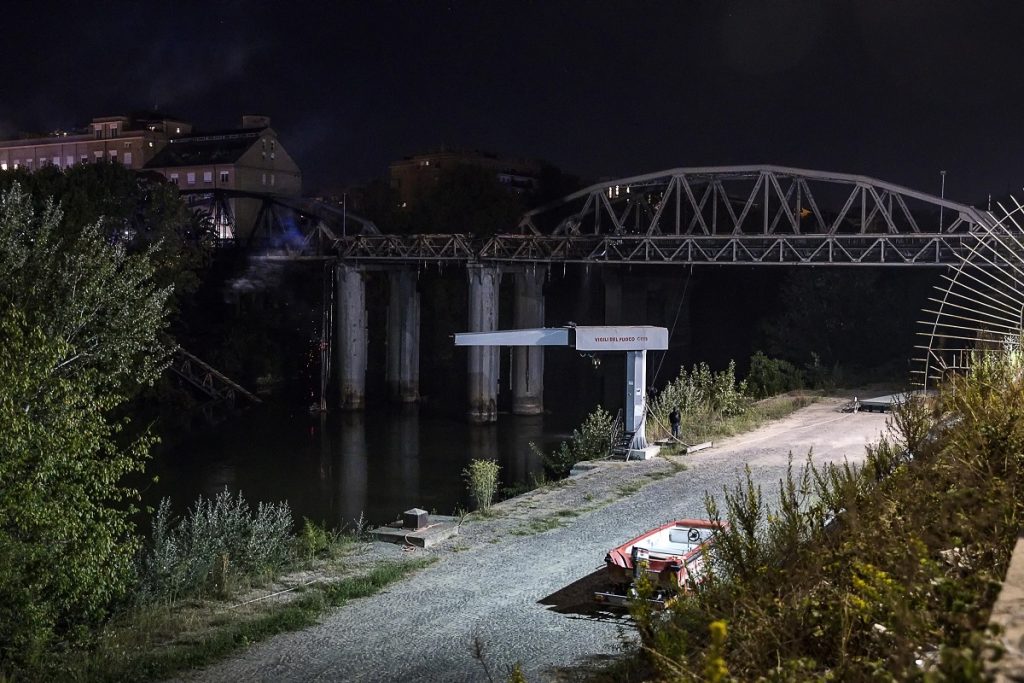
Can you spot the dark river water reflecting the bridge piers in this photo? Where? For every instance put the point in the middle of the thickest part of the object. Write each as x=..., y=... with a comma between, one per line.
x=377, y=463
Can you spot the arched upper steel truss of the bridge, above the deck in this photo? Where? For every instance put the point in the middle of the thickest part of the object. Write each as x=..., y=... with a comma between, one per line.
x=746, y=200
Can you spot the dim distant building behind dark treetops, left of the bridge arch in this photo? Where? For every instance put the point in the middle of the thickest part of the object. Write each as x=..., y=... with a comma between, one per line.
x=415, y=176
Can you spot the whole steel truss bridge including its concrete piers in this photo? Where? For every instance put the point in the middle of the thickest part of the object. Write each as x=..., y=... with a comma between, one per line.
x=733, y=216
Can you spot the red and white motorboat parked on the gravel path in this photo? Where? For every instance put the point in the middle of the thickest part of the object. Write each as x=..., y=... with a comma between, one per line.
x=673, y=558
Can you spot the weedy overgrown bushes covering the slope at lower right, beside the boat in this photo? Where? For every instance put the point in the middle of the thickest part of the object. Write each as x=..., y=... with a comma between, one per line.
x=900, y=586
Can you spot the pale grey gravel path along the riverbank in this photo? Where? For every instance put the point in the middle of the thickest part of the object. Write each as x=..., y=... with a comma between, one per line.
x=489, y=583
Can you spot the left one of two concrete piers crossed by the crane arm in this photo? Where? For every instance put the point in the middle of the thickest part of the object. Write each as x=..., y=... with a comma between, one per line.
x=484, y=361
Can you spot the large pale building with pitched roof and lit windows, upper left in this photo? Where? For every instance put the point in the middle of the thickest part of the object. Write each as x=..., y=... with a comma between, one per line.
x=250, y=159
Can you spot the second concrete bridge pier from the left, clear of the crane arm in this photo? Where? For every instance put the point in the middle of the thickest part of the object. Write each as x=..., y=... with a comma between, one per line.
x=403, y=337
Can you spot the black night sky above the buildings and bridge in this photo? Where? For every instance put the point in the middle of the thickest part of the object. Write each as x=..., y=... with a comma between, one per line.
x=899, y=91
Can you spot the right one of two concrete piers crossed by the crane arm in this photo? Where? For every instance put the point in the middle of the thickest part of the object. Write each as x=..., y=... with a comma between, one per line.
x=528, y=362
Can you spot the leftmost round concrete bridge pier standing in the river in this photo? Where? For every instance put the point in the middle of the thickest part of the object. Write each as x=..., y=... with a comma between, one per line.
x=352, y=337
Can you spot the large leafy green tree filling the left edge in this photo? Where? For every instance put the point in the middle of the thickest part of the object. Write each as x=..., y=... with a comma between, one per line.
x=79, y=324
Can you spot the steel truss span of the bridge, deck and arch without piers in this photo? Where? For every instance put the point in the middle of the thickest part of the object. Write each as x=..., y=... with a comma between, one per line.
x=721, y=216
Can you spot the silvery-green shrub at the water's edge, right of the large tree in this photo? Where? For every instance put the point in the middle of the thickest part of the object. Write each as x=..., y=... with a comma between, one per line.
x=218, y=543
